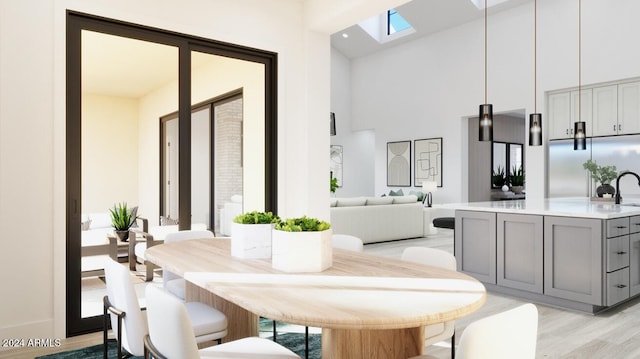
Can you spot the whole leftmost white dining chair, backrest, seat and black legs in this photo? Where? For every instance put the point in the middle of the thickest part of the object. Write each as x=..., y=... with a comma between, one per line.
x=130, y=324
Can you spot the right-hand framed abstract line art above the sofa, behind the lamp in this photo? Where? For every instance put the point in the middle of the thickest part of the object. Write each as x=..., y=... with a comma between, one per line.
x=428, y=161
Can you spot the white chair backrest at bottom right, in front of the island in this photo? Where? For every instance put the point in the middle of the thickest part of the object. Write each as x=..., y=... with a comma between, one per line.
x=510, y=334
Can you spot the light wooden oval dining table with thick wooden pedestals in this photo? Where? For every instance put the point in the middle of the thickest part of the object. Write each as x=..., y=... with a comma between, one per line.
x=368, y=306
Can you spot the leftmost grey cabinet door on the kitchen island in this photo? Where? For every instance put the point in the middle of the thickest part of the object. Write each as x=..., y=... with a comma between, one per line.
x=475, y=244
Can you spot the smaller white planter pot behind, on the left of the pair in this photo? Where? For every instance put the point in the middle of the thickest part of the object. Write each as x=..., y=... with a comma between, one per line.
x=251, y=240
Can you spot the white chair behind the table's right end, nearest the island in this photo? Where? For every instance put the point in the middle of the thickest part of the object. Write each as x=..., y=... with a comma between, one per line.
x=438, y=258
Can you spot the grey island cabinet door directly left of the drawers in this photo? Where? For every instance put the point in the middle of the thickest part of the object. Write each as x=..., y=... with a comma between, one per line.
x=573, y=259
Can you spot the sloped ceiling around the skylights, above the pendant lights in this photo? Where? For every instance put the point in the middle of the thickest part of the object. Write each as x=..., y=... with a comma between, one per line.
x=425, y=16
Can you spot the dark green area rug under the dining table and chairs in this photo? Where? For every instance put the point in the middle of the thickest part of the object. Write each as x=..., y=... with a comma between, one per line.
x=293, y=341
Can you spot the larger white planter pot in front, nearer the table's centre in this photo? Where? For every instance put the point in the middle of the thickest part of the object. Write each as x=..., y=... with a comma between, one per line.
x=301, y=252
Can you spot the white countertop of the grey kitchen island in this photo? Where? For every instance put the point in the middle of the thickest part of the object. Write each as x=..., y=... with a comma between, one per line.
x=564, y=207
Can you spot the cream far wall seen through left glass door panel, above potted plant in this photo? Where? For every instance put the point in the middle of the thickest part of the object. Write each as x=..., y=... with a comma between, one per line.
x=109, y=152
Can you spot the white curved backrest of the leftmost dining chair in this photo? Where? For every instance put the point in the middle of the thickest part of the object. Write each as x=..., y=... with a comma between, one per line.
x=122, y=295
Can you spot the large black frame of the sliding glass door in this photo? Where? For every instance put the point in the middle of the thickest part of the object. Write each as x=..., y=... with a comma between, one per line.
x=75, y=23
